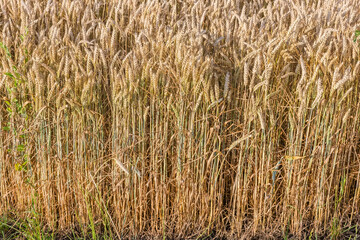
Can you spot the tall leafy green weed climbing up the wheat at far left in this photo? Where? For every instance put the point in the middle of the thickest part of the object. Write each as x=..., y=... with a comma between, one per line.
x=18, y=108
